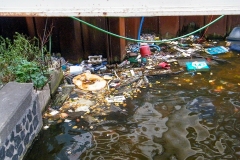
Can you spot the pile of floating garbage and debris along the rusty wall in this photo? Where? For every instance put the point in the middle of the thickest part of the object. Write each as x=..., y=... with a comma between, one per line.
x=94, y=89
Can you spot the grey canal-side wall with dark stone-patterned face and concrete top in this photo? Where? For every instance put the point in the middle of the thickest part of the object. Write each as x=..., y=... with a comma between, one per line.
x=21, y=119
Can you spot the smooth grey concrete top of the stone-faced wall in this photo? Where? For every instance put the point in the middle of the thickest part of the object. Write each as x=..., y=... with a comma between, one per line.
x=14, y=100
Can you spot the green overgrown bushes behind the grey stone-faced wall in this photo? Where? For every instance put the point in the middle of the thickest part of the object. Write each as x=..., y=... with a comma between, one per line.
x=24, y=60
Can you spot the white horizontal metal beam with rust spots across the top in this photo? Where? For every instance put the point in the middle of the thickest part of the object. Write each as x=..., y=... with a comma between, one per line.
x=117, y=8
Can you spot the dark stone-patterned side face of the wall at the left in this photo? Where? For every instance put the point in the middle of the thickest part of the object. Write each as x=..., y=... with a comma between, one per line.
x=24, y=132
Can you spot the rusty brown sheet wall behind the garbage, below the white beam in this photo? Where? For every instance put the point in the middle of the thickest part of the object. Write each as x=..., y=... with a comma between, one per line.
x=76, y=41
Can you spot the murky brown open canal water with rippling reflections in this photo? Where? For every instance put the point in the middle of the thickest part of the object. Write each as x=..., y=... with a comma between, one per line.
x=190, y=115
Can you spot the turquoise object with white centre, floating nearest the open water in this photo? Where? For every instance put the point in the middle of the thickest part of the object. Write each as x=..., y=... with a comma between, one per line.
x=197, y=66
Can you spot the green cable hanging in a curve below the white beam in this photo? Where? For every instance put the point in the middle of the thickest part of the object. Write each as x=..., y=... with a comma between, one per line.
x=136, y=40
